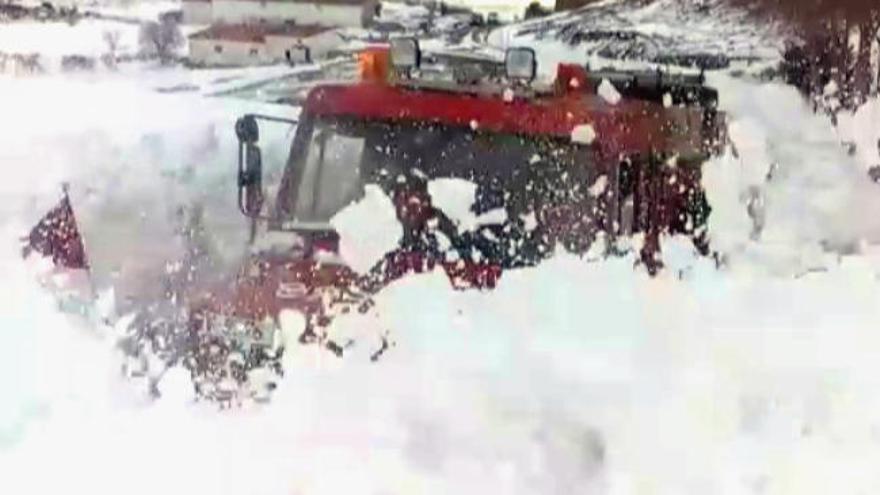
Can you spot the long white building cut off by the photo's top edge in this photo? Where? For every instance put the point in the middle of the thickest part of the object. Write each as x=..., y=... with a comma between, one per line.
x=341, y=13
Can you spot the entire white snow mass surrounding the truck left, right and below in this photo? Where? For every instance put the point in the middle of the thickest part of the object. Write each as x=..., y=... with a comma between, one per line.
x=579, y=376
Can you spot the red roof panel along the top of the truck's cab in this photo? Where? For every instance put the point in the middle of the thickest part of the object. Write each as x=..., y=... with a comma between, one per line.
x=630, y=126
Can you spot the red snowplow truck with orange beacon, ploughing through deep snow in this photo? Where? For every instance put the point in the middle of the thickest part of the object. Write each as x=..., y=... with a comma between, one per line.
x=569, y=168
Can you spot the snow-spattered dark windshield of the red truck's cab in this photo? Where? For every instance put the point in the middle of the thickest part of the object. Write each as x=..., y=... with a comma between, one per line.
x=332, y=160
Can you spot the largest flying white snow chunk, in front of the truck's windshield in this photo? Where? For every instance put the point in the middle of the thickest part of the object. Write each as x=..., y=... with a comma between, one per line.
x=368, y=229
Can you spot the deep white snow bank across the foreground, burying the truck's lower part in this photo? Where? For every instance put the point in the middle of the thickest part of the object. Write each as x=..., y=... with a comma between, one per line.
x=573, y=377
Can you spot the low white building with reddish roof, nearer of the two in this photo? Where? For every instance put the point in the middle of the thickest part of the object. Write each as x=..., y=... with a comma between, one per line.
x=256, y=44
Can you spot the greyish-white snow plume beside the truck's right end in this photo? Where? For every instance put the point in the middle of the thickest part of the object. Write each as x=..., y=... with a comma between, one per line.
x=809, y=196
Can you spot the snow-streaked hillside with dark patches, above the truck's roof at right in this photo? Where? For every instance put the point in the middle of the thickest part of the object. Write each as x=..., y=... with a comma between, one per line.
x=661, y=27
